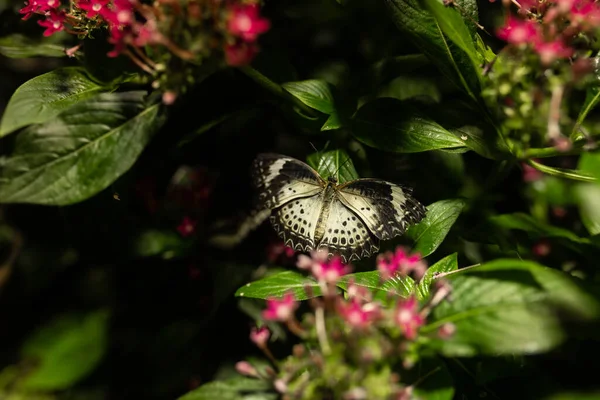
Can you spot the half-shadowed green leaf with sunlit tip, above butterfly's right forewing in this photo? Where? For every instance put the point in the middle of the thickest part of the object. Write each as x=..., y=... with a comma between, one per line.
x=390, y=125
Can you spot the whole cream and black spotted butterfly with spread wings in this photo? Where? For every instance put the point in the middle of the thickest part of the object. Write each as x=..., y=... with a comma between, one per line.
x=311, y=213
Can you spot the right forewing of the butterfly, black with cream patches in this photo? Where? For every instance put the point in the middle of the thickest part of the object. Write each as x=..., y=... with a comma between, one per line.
x=386, y=208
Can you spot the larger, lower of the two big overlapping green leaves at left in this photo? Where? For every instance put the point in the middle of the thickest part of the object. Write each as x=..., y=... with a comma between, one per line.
x=80, y=152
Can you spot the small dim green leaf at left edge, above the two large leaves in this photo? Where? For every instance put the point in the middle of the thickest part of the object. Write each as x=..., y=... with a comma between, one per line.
x=21, y=46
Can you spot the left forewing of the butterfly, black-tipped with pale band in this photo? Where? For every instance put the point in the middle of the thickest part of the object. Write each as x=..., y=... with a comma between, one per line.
x=280, y=179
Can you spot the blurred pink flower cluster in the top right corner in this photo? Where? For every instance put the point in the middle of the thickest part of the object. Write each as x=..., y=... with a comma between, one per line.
x=550, y=26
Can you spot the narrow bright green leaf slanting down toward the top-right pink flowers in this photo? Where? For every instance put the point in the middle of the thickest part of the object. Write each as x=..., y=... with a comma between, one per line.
x=452, y=24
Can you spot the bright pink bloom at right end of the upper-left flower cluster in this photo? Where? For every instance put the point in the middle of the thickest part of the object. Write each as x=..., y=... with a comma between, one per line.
x=245, y=25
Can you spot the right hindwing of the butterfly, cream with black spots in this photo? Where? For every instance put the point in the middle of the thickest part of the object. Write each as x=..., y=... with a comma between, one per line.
x=345, y=234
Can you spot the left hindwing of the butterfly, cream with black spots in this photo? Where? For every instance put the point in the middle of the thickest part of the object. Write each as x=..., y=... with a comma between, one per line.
x=296, y=221
